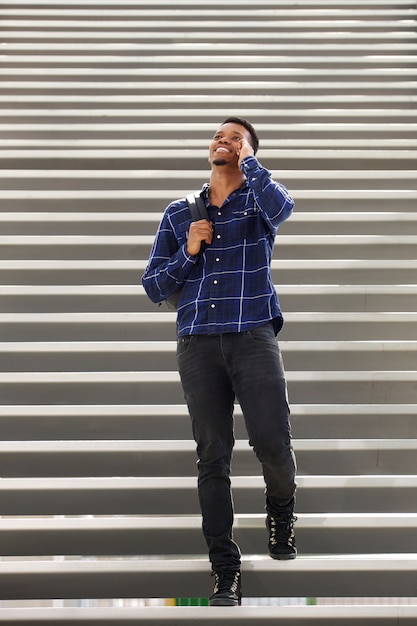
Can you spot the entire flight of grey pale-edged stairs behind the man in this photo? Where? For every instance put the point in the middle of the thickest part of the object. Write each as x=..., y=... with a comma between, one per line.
x=106, y=111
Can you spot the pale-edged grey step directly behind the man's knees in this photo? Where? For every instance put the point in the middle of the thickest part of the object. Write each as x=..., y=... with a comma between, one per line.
x=143, y=458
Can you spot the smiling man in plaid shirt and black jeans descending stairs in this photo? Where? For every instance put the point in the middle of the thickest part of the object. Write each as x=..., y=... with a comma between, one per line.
x=228, y=318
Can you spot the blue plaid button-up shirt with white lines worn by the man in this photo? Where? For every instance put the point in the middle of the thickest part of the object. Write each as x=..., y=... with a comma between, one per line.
x=228, y=288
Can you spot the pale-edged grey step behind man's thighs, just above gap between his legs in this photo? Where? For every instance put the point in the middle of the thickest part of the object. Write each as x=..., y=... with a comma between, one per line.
x=148, y=387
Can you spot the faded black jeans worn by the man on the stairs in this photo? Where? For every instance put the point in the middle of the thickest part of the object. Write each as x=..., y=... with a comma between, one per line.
x=214, y=370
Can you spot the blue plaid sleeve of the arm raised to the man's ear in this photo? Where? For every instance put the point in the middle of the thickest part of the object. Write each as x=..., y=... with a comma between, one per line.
x=272, y=198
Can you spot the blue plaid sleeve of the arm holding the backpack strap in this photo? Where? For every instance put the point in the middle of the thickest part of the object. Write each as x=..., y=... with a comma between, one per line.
x=169, y=262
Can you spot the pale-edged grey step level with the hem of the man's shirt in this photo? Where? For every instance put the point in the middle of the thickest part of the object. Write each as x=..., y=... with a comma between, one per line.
x=122, y=326
